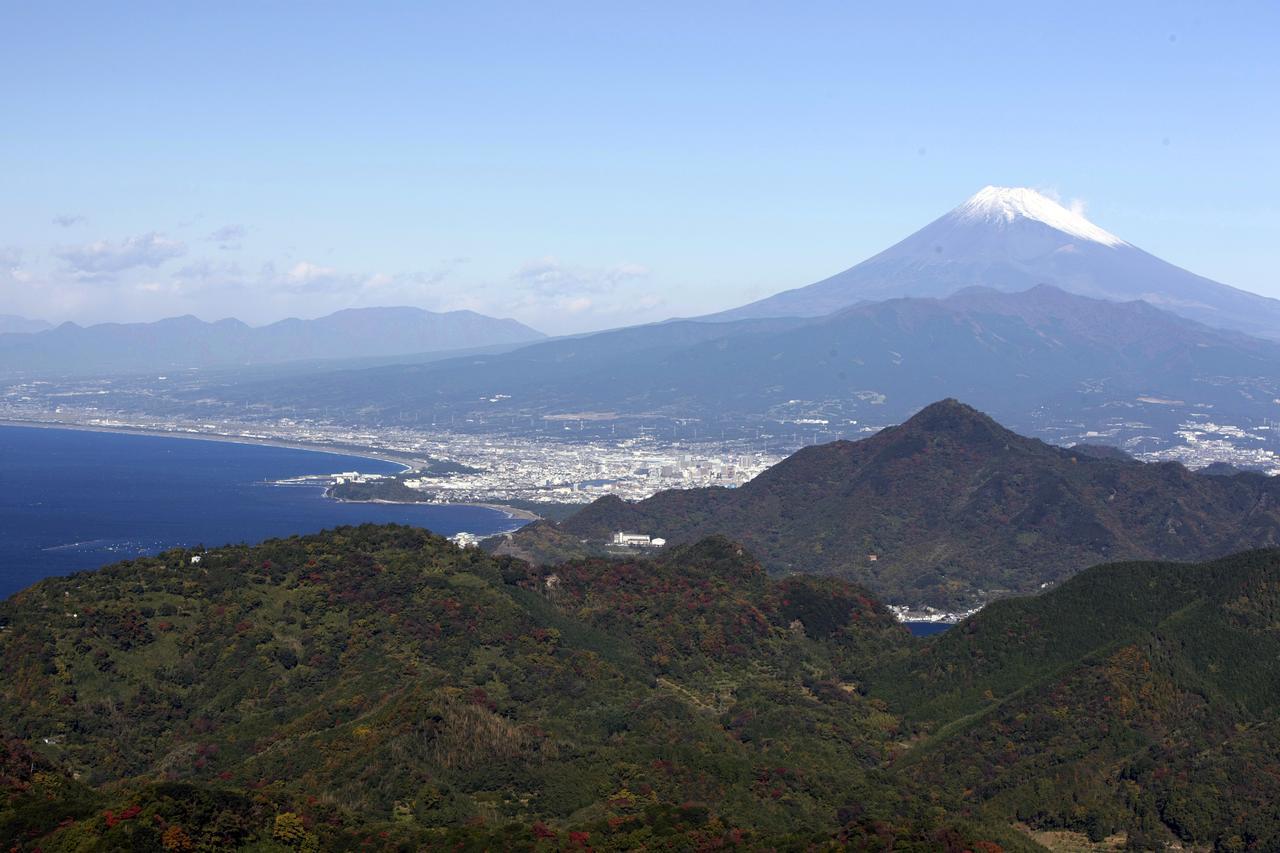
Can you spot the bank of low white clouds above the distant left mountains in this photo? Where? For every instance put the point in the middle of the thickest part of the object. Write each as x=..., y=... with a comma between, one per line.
x=135, y=280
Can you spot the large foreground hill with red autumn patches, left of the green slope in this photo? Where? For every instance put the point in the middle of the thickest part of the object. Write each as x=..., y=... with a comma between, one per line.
x=378, y=688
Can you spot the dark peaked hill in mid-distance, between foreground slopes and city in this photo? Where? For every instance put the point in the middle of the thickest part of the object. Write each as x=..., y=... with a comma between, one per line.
x=948, y=509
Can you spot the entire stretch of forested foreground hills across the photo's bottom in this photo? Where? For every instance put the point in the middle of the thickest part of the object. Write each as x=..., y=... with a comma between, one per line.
x=378, y=688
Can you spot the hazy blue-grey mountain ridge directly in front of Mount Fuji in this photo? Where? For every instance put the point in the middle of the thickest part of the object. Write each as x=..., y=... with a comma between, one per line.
x=1012, y=354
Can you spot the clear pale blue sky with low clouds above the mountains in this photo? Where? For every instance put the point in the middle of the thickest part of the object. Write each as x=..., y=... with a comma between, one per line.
x=584, y=166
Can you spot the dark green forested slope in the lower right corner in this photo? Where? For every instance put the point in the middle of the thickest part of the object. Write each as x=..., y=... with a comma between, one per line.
x=1140, y=699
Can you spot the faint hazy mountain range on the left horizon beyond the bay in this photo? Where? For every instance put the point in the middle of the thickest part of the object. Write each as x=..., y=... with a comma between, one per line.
x=190, y=343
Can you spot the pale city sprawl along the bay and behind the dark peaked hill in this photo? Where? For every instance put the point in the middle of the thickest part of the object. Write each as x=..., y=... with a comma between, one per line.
x=564, y=460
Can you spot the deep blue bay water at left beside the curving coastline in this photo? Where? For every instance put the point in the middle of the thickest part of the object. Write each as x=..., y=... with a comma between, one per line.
x=74, y=500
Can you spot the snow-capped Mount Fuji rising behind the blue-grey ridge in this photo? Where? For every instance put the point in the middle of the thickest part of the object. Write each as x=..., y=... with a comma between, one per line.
x=1012, y=239
